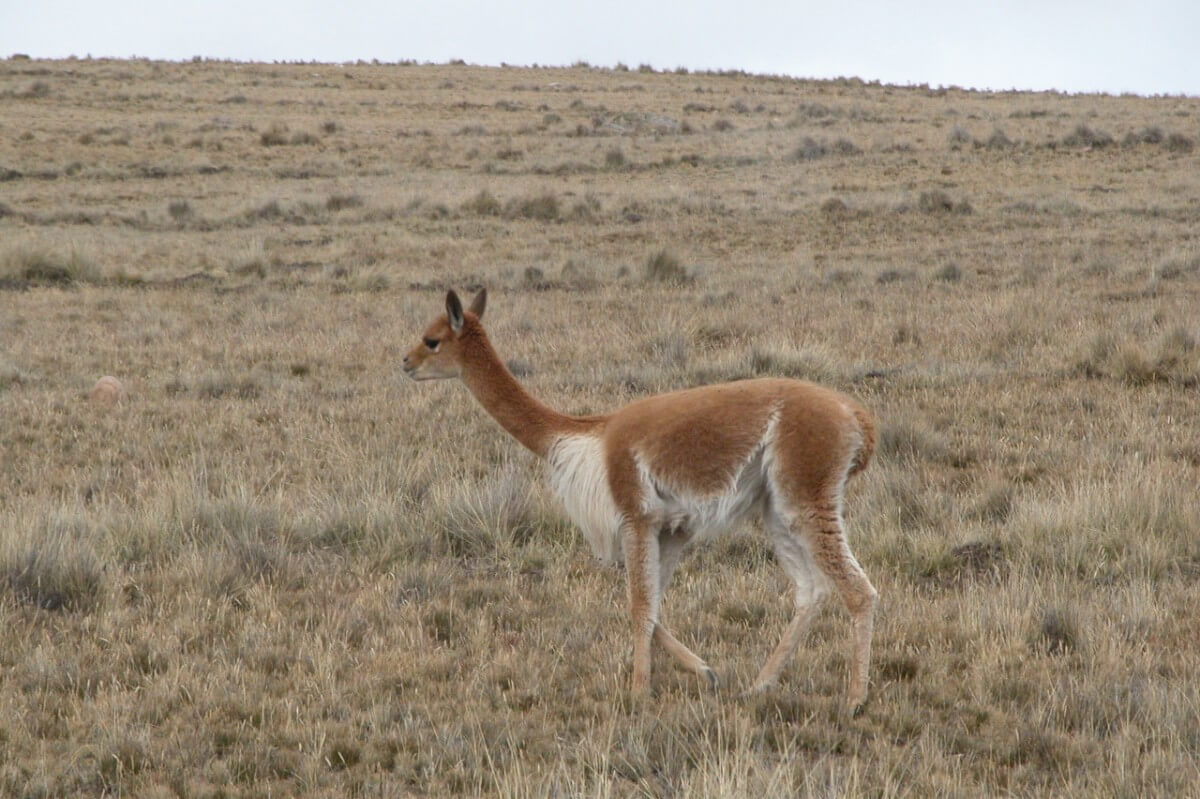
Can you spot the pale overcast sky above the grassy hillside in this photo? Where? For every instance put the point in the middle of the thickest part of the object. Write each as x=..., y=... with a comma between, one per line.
x=1145, y=47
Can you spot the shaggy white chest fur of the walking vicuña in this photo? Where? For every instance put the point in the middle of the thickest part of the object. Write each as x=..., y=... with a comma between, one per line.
x=579, y=478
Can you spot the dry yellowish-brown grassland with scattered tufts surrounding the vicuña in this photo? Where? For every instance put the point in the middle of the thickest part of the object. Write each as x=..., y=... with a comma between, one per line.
x=278, y=569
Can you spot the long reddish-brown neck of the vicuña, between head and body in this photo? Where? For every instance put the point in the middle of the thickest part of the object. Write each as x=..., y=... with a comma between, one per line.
x=518, y=412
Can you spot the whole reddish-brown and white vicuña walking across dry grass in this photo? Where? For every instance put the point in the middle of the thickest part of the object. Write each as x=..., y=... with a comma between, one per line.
x=649, y=480
